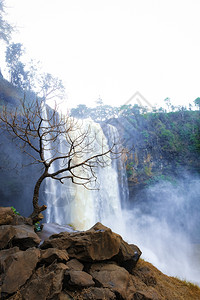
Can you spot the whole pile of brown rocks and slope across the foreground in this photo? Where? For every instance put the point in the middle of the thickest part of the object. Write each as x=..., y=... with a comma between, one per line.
x=94, y=264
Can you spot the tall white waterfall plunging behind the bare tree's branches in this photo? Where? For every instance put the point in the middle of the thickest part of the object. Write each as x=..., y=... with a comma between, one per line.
x=73, y=204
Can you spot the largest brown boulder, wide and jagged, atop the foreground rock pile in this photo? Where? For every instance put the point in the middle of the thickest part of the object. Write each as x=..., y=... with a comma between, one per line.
x=96, y=244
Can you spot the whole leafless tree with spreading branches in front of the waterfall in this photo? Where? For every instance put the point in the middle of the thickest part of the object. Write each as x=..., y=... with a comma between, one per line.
x=63, y=147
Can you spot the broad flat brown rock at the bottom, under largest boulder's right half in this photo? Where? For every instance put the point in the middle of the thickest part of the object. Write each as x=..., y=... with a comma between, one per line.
x=116, y=278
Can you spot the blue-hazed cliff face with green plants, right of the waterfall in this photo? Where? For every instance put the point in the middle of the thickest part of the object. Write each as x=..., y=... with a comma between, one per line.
x=160, y=146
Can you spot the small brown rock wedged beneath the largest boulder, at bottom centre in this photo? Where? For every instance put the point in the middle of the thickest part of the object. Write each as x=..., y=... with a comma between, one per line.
x=77, y=279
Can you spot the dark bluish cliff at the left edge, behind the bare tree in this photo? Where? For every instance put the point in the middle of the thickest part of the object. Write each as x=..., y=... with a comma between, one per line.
x=17, y=174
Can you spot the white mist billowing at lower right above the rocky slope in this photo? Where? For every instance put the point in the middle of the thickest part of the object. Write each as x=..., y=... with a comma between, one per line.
x=163, y=221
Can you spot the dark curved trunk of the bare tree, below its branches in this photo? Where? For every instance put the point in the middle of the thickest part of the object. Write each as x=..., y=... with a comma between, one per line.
x=36, y=215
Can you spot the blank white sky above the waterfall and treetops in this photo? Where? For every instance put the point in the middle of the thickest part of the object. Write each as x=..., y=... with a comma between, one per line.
x=114, y=48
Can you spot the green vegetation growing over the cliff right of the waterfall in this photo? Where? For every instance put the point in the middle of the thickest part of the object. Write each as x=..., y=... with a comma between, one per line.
x=172, y=139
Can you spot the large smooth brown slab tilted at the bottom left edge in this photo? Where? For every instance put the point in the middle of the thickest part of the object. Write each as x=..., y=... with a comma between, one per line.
x=17, y=267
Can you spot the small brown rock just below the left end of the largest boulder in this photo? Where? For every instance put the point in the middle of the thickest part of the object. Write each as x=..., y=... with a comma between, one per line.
x=50, y=255
